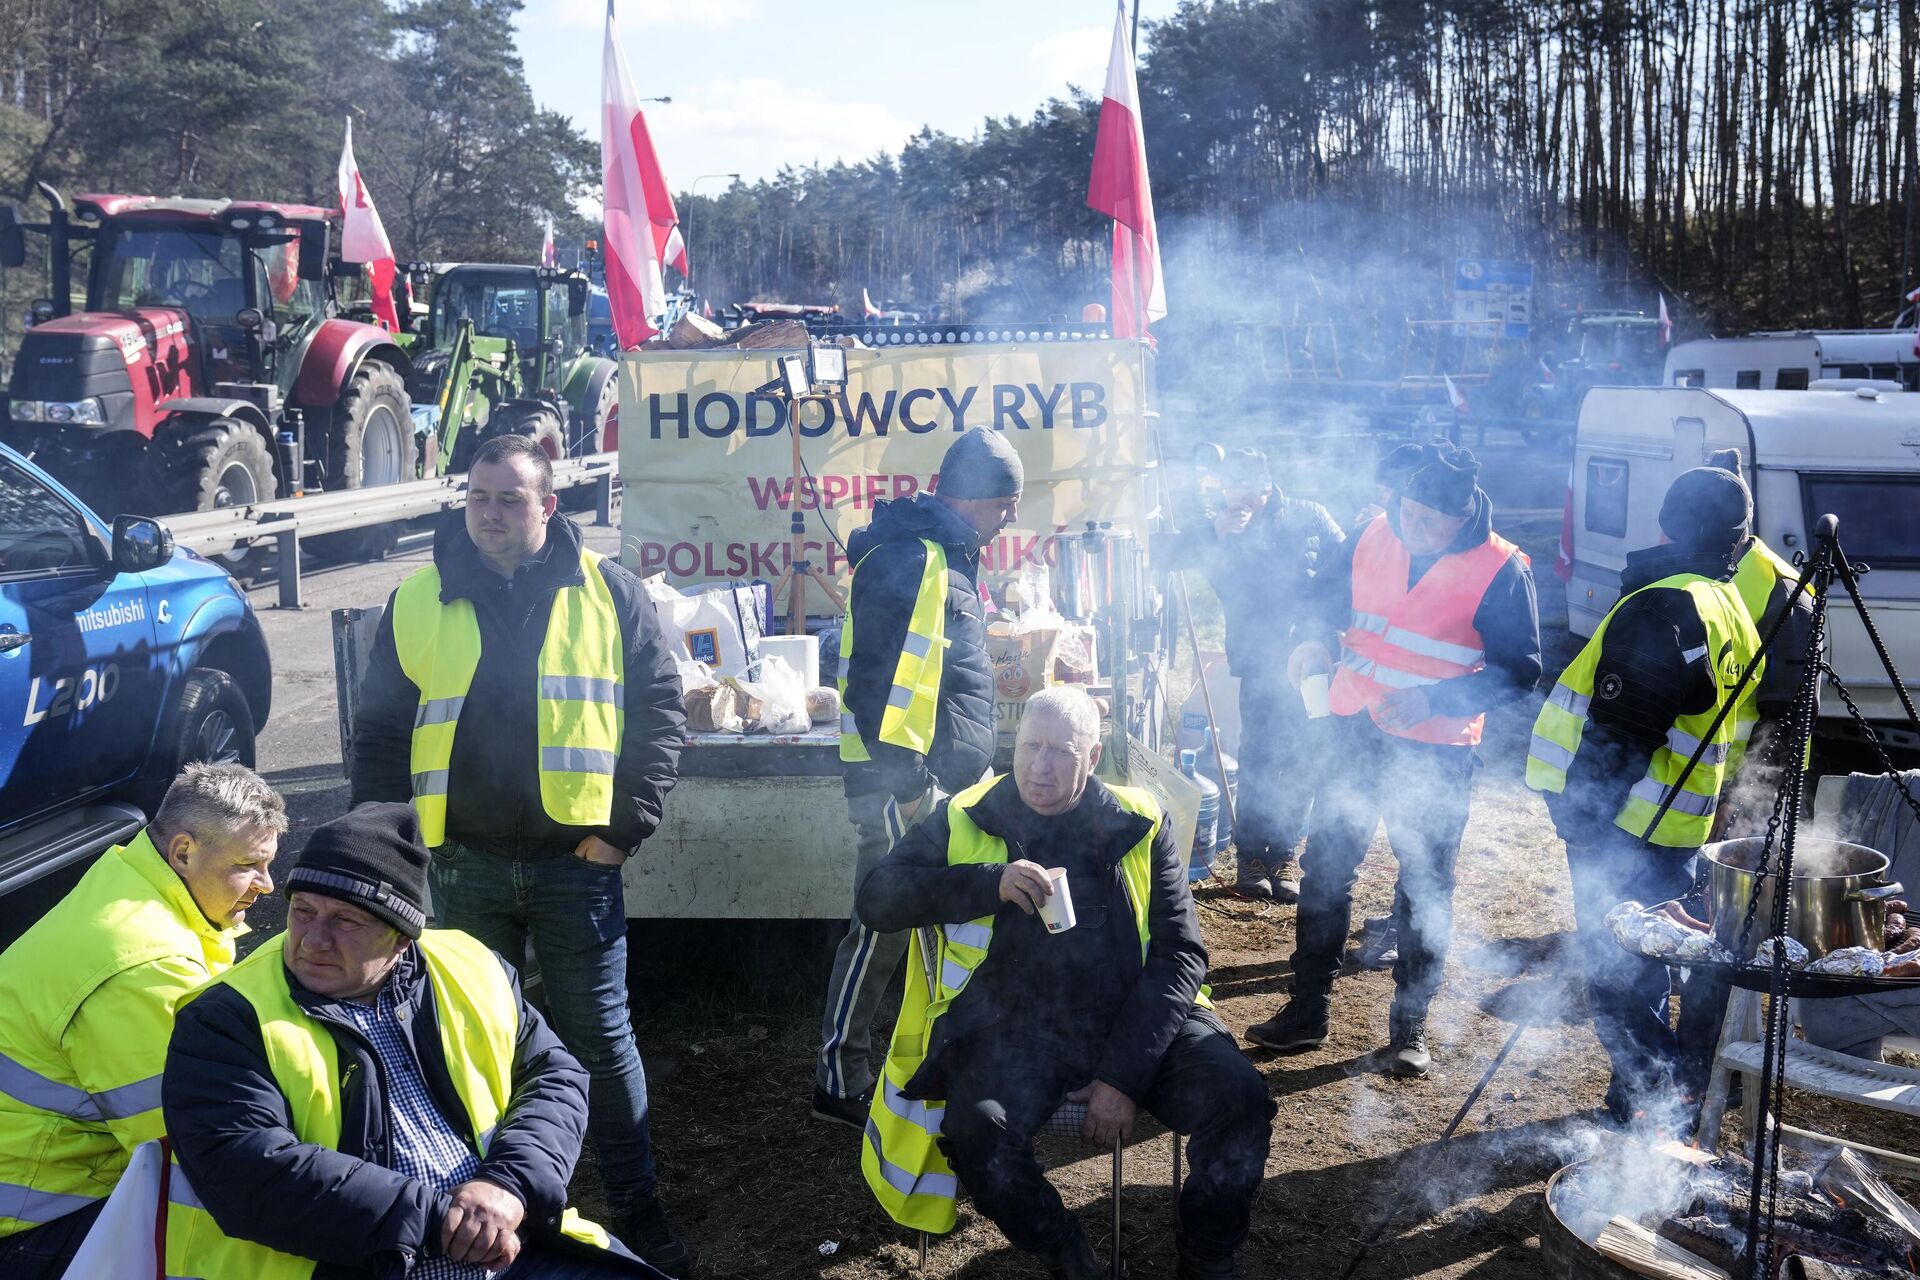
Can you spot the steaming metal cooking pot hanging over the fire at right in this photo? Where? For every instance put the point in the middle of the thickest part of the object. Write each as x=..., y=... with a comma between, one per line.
x=1838, y=897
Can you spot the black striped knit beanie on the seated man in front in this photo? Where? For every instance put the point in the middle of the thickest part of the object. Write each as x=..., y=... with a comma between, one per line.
x=373, y=859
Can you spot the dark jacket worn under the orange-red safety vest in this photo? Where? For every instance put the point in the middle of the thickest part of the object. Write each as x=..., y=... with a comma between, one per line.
x=1508, y=617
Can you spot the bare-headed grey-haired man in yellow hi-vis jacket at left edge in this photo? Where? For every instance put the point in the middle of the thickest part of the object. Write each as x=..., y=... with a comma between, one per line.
x=89, y=1005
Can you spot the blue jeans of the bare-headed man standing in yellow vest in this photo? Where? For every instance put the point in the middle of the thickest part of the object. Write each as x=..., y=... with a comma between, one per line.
x=577, y=918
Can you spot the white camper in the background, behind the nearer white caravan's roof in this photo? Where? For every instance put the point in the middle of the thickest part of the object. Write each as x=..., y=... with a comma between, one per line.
x=1792, y=362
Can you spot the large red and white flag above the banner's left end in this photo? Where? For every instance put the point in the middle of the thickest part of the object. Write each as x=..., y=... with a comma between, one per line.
x=642, y=227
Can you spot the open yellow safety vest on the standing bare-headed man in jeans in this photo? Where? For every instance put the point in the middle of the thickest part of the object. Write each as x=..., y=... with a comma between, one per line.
x=581, y=698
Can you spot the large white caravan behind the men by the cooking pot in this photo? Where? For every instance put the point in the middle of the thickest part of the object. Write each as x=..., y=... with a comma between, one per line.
x=1854, y=454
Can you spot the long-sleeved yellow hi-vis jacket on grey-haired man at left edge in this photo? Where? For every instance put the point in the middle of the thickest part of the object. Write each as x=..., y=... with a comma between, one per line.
x=78, y=1095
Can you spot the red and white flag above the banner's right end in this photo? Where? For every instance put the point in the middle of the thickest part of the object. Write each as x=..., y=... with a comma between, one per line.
x=1120, y=191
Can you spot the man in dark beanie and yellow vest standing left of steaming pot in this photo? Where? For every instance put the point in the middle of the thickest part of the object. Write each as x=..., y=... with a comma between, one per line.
x=1612, y=746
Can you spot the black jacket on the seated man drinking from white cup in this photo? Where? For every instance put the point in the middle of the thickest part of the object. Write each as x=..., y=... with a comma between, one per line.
x=1147, y=1003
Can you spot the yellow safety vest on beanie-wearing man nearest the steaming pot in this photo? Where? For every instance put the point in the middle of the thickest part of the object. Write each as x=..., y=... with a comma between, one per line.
x=1562, y=723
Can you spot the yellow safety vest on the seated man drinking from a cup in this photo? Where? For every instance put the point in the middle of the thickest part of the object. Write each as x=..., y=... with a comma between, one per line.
x=901, y=1154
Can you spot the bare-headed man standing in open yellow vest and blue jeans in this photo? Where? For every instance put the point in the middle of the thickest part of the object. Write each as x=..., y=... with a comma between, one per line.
x=523, y=698
